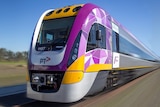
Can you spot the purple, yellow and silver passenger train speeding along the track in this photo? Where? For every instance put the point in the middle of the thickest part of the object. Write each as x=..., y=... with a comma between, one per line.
x=80, y=50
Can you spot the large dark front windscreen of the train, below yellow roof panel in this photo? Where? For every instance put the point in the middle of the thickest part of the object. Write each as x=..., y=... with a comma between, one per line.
x=54, y=33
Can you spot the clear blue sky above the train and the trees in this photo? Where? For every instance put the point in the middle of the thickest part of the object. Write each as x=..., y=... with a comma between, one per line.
x=19, y=17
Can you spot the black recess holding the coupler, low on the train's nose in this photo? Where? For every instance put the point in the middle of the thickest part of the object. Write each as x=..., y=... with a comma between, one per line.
x=46, y=81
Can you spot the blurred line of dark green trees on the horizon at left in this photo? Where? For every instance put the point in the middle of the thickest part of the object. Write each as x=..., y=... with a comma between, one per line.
x=8, y=55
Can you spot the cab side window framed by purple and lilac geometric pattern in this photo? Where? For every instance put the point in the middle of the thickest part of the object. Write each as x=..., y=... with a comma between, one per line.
x=92, y=43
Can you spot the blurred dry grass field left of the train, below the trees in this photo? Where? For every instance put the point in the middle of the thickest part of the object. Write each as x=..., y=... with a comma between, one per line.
x=12, y=73
